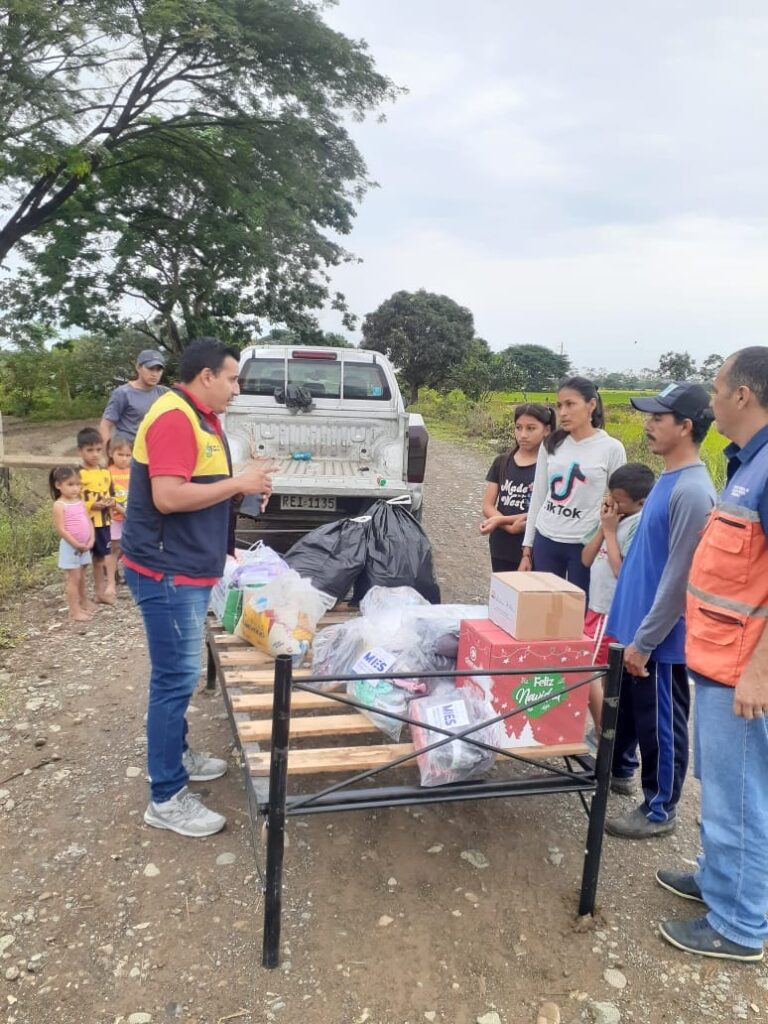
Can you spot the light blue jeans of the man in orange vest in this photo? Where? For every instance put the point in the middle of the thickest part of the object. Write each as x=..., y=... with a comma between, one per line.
x=732, y=763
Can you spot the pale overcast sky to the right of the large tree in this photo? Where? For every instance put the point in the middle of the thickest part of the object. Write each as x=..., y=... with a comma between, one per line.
x=591, y=175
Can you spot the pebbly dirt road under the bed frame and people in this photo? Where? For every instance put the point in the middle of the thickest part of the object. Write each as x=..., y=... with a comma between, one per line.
x=103, y=919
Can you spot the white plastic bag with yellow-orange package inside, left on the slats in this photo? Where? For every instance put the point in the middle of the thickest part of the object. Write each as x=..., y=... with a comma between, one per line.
x=281, y=618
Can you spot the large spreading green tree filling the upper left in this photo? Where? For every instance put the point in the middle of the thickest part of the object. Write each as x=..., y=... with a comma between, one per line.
x=195, y=156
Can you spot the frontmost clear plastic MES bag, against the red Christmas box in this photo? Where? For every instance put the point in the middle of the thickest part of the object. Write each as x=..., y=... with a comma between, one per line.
x=456, y=761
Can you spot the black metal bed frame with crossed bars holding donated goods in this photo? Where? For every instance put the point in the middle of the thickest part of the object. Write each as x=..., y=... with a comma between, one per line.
x=582, y=775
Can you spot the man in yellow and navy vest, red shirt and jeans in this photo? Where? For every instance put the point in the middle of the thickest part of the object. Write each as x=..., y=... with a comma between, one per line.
x=176, y=540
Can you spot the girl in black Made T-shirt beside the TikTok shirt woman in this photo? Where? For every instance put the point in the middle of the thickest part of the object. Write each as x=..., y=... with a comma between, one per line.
x=510, y=482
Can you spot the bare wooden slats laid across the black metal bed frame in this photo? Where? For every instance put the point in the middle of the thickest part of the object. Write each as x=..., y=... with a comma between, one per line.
x=327, y=737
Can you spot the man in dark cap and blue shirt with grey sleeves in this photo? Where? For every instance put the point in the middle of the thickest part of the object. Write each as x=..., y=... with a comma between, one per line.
x=648, y=614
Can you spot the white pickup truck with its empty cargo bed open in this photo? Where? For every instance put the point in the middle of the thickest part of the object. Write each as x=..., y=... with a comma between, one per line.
x=334, y=422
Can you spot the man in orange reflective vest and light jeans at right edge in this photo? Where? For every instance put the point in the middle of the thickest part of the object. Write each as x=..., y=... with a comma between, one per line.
x=728, y=655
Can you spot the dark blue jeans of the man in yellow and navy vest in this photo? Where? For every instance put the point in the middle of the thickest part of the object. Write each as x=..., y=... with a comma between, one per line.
x=175, y=618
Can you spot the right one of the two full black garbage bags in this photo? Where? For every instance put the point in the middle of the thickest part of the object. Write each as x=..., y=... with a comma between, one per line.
x=399, y=553
